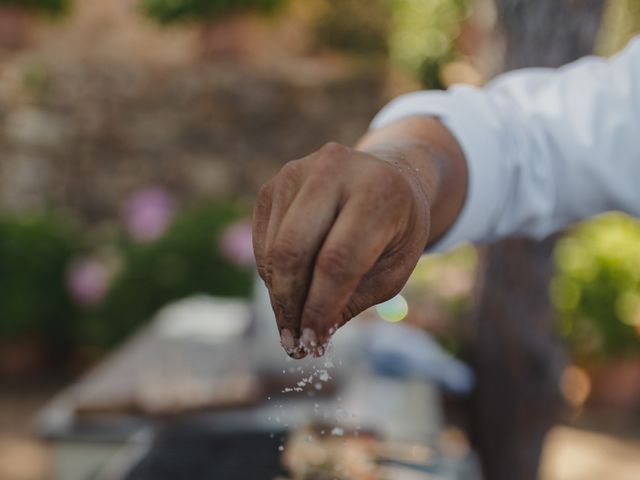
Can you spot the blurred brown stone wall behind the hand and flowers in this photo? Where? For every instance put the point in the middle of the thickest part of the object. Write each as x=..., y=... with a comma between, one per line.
x=93, y=109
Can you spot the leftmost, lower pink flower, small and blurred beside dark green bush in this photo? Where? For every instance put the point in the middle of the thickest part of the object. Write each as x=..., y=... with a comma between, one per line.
x=88, y=281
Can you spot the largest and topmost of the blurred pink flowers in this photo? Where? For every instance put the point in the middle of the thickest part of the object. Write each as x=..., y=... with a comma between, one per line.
x=148, y=214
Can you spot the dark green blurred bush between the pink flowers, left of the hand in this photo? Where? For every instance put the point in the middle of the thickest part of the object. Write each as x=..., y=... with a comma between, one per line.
x=186, y=260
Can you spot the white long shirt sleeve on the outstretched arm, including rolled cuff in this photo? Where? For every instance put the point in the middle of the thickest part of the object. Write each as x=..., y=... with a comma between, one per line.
x=544, y=147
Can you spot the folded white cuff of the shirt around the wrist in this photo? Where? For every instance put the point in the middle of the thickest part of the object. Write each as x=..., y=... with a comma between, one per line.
x=466, y=112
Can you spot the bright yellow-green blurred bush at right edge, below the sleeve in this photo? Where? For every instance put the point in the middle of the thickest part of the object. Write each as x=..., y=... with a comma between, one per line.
x=596, y=290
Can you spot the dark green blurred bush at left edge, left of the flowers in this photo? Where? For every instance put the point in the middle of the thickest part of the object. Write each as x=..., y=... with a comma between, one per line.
x=35, y=251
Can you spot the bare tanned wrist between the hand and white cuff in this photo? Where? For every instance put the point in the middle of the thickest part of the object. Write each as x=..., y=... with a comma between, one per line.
x=426, y=146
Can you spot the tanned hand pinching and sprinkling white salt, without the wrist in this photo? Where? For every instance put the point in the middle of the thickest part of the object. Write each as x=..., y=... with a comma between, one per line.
x=334, y=234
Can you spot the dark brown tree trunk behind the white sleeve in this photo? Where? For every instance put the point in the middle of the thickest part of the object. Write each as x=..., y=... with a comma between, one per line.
x=517, y=358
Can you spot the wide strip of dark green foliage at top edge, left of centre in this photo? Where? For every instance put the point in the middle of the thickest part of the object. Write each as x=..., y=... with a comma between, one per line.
x=169, y=11
